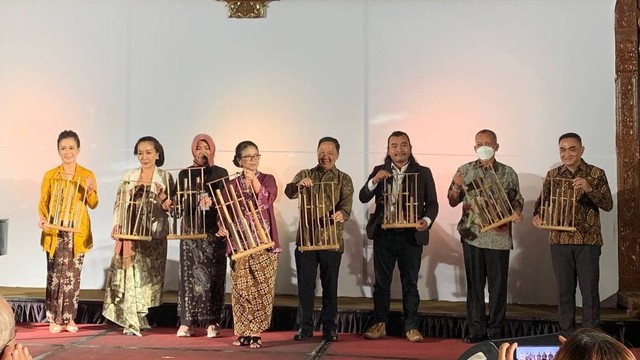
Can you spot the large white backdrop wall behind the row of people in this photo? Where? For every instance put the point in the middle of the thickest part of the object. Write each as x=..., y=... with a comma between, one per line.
x=355, y=69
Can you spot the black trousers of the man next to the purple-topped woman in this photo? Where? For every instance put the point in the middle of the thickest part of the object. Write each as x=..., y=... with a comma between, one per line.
x=307, y=263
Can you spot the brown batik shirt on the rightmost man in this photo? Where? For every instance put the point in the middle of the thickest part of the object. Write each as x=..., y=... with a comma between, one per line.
x=587, y=207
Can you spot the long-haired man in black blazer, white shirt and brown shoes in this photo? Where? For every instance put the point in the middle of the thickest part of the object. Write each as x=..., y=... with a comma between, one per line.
x=403, y=245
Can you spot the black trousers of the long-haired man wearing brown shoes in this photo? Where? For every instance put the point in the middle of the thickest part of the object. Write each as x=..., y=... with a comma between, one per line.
x=388, y=248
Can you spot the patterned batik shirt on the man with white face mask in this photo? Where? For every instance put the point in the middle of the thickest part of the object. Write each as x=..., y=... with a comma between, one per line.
x=499, y=238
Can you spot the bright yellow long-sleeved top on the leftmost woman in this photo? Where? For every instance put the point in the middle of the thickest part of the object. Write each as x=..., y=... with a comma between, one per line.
x=83, y=240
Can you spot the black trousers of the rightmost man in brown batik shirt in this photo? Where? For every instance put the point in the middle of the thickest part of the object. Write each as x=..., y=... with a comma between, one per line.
x=581, y=263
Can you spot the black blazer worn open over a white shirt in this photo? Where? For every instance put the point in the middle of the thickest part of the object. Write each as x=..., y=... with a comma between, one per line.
x=426, y=197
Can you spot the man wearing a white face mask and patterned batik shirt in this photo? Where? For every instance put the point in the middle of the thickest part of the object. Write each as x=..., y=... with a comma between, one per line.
x=486, y=254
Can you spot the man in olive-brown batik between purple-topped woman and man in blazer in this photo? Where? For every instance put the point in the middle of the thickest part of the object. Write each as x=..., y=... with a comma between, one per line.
x=307, y=262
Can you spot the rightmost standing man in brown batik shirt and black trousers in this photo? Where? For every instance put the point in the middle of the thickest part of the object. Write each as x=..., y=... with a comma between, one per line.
x=575, y=255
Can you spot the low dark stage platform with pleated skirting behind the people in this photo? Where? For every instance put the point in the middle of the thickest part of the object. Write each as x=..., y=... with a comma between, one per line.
x=438, y=319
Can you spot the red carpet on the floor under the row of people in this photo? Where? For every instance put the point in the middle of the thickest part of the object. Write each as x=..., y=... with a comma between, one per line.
x=101, y=342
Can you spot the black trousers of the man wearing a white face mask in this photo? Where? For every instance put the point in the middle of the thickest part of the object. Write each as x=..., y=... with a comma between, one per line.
x=486, y=267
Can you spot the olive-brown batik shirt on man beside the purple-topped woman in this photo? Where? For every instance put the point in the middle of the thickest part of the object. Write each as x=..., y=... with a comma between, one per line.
x=342, y=193
